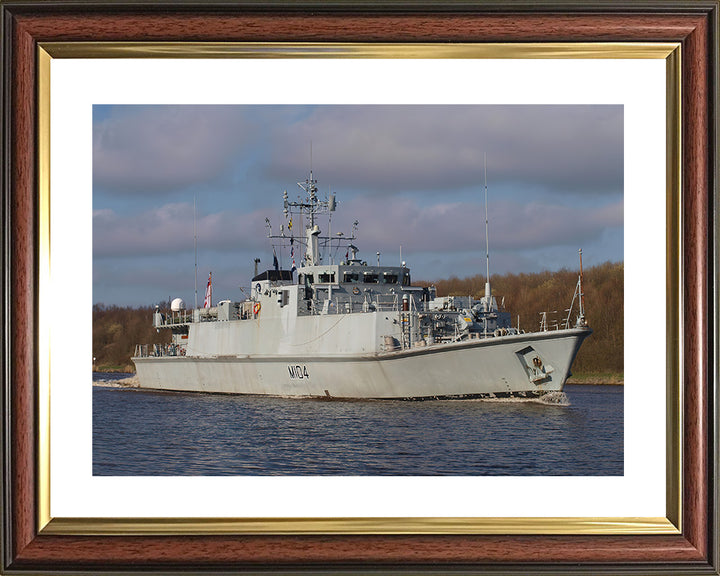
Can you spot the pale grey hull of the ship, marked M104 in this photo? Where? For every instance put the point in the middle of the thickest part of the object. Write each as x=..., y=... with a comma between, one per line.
x=507, y=366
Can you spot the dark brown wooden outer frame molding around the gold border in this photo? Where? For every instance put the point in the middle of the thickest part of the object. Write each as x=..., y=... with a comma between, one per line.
x=27, y=24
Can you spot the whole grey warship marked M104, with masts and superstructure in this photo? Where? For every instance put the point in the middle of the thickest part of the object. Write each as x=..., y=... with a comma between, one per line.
x=353, y=330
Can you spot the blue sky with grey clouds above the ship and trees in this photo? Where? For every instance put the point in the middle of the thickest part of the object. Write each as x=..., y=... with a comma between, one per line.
x=413, y=176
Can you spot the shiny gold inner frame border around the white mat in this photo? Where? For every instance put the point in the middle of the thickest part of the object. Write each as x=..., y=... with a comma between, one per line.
x=671, y=524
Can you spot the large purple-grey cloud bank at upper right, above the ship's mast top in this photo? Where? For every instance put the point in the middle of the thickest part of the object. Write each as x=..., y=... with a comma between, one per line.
x=556, y=148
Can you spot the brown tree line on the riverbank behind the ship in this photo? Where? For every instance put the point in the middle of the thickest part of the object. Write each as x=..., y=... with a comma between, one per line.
x=116, y=330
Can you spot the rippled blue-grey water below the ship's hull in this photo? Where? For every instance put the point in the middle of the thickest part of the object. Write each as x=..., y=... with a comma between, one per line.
x=140, y=432
